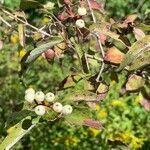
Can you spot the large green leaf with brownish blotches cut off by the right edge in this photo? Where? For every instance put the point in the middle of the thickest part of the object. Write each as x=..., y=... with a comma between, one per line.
x=138, y=55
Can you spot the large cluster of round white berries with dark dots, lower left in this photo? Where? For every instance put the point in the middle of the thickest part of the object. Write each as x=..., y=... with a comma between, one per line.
x=31, y=96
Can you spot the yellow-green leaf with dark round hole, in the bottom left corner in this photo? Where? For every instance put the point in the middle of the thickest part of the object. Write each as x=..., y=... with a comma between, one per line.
x=16, y=133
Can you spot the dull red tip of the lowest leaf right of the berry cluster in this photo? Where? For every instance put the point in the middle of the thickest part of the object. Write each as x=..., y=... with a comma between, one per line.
x=92, y=123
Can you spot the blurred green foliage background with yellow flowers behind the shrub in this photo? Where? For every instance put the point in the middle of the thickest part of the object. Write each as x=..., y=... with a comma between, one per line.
x=124, y=118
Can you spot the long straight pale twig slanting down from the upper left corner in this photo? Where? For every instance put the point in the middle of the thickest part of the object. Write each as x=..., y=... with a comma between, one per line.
x=26, y=23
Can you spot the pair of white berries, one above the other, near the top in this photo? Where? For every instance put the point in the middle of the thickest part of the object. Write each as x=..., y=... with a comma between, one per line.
x=80, y=22
